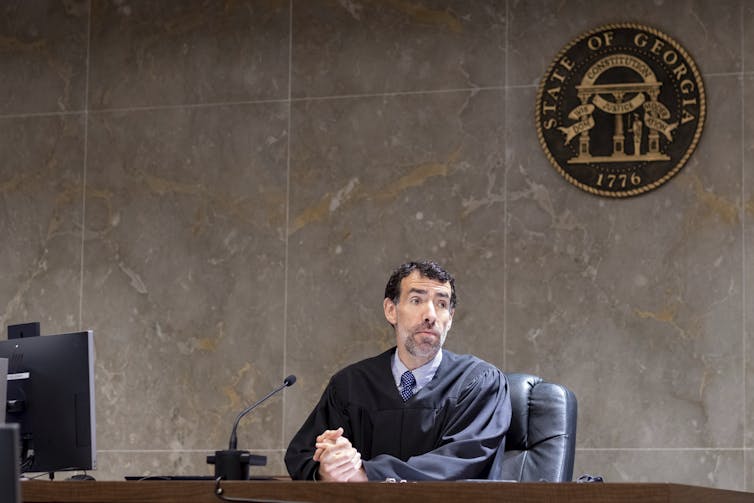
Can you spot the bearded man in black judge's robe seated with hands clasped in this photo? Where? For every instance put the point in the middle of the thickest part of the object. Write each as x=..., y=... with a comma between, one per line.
x=414, y=412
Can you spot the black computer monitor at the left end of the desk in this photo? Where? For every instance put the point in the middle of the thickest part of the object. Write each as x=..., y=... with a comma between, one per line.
x=51, y=397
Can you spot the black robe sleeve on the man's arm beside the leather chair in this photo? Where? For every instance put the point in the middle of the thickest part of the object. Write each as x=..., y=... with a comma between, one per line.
x=473, y=432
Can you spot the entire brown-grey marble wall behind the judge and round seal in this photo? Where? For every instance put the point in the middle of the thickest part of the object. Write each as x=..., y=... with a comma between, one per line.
x=221, y=189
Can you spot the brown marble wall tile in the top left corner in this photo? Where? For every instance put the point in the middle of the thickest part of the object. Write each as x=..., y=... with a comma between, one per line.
x=43, y=63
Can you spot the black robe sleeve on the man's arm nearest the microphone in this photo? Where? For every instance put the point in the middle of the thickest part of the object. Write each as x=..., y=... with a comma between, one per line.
x=298, y=457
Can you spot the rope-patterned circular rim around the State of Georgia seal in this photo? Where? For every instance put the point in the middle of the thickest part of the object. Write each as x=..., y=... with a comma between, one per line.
x=689, y=151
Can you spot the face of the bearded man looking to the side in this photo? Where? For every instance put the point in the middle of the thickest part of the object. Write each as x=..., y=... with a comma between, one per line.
x=422, y=318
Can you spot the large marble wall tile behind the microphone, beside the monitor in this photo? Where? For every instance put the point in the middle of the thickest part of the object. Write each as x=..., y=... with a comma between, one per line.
x=184, y=274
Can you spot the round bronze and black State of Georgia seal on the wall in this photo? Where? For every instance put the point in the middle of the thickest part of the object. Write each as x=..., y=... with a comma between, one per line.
x=620, y=110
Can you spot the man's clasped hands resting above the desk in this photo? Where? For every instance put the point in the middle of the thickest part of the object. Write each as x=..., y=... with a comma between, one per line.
x=338, y=460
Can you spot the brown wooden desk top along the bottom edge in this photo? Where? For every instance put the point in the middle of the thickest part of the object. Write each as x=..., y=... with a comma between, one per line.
x=424, y=492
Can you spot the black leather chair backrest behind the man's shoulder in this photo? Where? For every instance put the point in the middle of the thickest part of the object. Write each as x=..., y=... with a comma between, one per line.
x=541, y=442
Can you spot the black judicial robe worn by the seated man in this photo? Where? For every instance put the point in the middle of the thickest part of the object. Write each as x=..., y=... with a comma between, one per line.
x=451, y=429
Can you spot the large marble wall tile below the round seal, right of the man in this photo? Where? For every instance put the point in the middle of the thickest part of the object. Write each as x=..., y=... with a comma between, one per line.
x=634, y=304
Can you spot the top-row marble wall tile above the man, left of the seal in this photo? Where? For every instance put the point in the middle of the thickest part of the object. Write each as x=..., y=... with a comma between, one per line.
x=342, y=48
